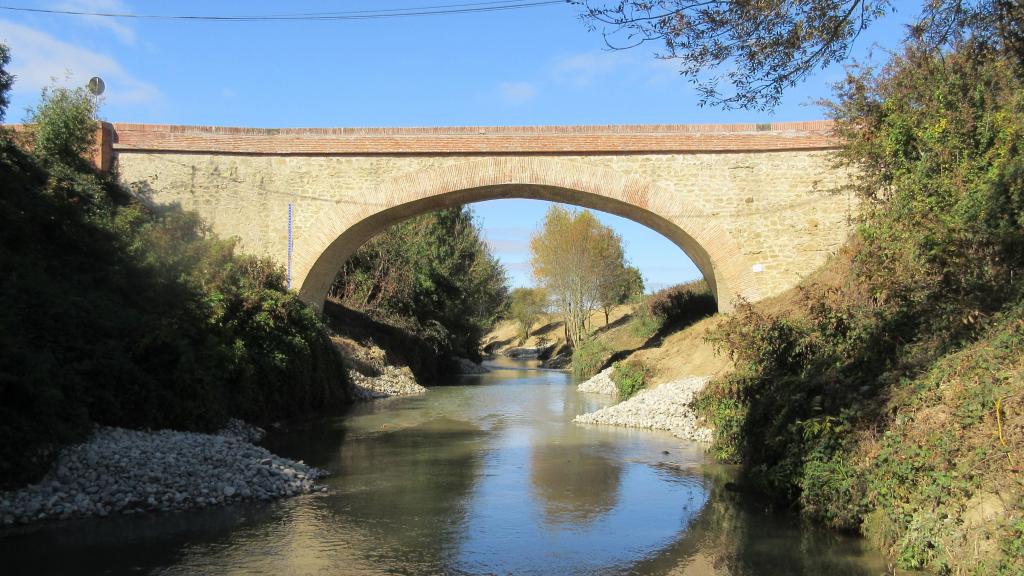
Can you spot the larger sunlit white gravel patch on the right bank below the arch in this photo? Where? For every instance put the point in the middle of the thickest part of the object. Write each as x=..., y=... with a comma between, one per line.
x=665, y=408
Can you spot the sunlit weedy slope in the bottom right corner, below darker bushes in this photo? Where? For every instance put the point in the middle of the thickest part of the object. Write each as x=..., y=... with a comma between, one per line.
x=945, y=479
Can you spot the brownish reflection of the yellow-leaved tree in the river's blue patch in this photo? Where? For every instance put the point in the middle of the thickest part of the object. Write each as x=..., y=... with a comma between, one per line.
x=576, y=484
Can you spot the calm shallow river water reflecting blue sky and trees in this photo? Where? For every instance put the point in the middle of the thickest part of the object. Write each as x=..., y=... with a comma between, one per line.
x=486, y=477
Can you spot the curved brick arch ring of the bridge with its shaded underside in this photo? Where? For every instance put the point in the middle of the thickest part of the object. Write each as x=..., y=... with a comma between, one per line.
x=336, y=235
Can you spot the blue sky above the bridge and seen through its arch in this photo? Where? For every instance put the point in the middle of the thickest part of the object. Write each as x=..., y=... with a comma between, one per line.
x=531, y=67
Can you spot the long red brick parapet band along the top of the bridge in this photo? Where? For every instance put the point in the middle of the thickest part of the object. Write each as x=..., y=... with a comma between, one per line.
x=488, y=140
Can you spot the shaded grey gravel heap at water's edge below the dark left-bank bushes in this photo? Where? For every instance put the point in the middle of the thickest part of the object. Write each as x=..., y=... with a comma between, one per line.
x=129, y=472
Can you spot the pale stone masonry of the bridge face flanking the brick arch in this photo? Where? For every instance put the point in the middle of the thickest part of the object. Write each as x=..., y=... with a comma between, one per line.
x=778, y=207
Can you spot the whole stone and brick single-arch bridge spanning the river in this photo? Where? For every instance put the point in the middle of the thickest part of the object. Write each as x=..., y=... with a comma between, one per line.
x=755, y=207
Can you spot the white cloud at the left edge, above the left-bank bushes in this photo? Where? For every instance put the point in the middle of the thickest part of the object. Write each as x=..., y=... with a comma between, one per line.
x=38, y=60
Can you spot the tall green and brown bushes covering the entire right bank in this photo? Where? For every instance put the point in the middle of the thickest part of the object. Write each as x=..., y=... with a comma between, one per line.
x=888, y=399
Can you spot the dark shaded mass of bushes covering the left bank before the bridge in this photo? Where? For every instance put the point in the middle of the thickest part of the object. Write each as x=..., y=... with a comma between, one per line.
x=119, y=314
